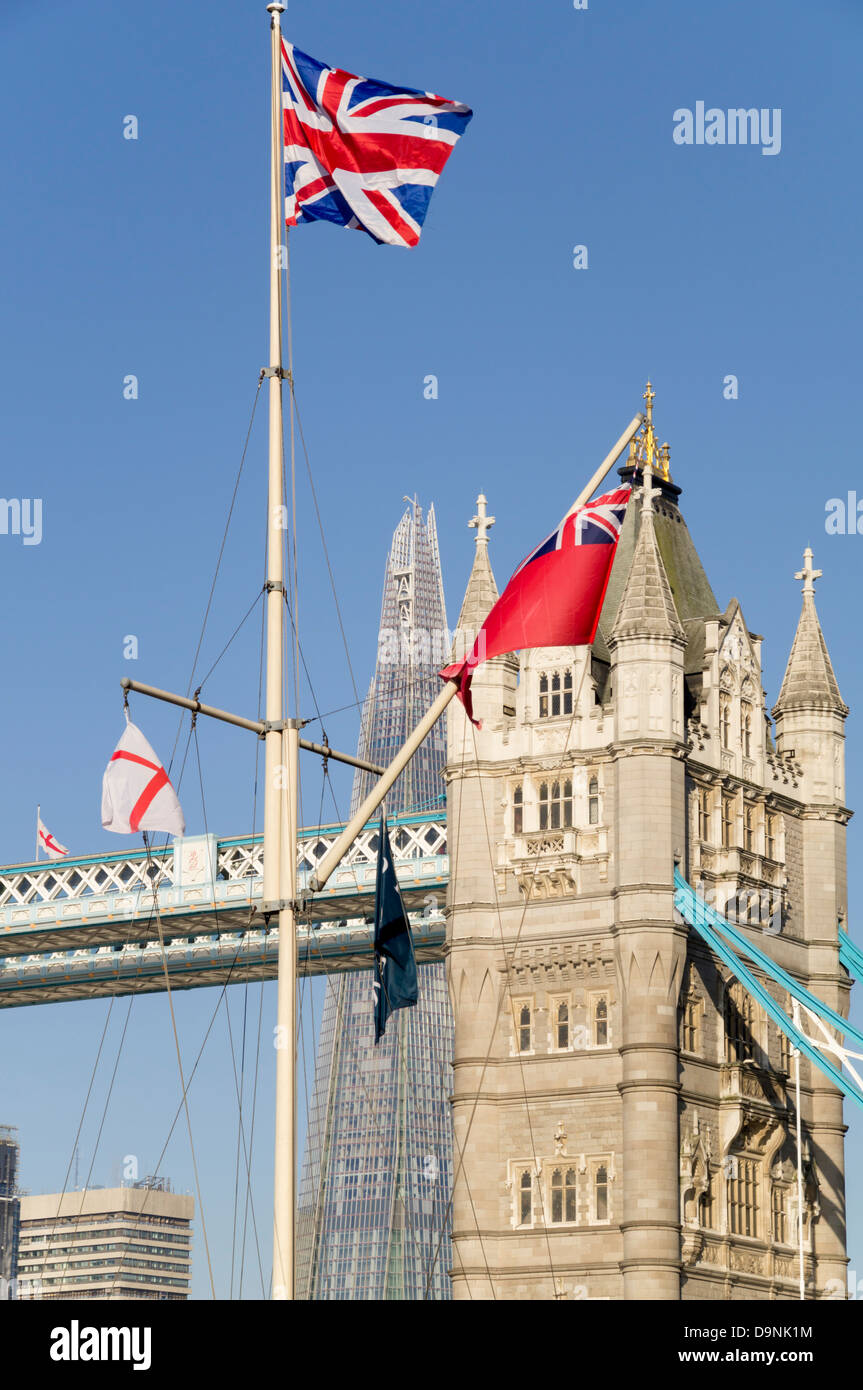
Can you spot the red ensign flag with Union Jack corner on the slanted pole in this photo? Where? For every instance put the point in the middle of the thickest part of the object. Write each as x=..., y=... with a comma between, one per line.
x=555, y=597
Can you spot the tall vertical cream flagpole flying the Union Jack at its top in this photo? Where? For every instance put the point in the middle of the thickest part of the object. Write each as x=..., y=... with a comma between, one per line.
x=280, y=831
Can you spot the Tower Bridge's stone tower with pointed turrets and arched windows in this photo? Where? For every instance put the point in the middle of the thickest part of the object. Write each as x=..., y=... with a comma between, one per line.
x=623, y=1118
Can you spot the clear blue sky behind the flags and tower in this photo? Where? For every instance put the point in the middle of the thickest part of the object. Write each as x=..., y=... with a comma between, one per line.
x=149, y=258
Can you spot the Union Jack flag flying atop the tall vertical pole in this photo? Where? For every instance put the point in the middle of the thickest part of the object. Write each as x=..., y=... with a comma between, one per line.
x=362, y=154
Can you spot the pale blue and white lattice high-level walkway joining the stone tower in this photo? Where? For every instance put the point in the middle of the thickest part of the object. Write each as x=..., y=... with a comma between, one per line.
x=88, y=928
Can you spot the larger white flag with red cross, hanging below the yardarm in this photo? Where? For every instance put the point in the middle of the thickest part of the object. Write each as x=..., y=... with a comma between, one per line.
x=135, y=790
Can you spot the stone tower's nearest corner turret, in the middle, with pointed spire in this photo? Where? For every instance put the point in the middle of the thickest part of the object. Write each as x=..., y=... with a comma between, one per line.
x=647, y=647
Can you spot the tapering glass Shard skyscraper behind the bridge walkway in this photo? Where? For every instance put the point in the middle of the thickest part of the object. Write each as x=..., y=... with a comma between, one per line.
x=377, y=1172
